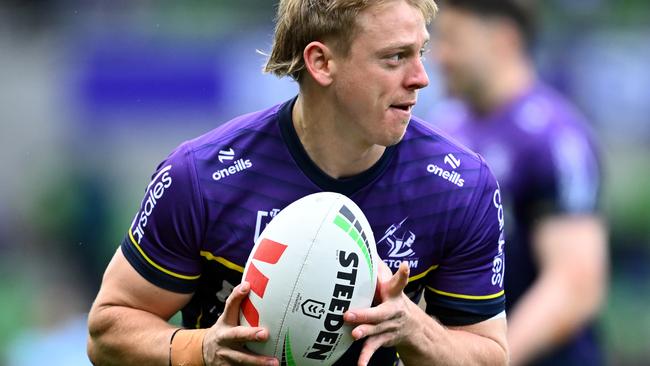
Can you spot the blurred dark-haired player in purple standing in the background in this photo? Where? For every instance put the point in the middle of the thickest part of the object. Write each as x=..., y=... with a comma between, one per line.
x=546, y=162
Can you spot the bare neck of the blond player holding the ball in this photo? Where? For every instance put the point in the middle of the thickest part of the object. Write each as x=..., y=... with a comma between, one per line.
x=328, y=139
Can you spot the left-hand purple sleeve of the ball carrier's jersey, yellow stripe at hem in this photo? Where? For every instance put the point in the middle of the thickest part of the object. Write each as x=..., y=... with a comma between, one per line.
x=164, y=240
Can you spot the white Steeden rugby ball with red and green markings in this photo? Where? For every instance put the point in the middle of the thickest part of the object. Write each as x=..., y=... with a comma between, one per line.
x=315, y=260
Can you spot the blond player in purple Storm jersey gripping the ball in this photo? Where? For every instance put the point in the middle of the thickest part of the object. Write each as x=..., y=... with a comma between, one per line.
x=350, y=130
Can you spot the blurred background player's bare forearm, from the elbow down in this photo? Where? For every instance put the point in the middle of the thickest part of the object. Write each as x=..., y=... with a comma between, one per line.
x=550, y=312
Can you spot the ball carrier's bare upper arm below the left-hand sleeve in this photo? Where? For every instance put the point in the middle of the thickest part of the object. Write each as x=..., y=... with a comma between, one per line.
x=123, y=286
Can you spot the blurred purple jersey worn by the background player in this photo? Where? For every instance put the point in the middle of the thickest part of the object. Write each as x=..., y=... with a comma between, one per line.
x=544, y=158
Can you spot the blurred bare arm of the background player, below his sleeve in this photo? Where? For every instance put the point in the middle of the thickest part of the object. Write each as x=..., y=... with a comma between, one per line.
x=572, y=256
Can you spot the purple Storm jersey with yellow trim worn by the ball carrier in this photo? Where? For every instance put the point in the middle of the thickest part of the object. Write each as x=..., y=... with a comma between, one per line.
x=430, y=203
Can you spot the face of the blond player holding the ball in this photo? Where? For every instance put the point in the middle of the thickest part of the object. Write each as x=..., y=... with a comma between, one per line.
x=375, y=86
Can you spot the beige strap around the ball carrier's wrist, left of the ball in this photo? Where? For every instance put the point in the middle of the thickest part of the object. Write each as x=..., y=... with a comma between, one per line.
x=186, y=348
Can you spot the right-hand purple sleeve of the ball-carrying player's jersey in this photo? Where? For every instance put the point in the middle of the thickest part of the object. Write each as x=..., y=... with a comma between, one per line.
x=467, y=286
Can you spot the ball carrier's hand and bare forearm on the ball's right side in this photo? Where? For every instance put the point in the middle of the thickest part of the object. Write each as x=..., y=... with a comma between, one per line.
x=420, y=339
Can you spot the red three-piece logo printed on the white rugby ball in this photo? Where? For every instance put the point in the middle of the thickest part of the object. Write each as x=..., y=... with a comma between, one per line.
x=268, y=252
